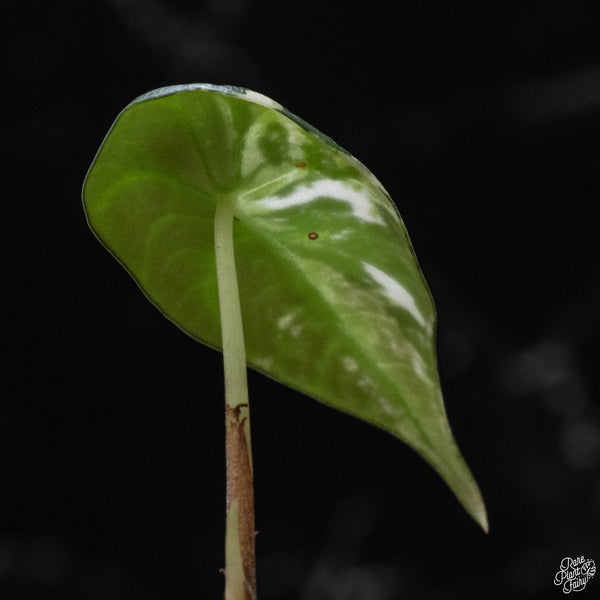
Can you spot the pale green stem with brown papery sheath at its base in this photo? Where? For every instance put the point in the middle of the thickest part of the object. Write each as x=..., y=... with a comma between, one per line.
x=240, y=563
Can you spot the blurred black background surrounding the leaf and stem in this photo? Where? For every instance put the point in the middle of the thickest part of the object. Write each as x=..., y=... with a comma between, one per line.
x=482, y=119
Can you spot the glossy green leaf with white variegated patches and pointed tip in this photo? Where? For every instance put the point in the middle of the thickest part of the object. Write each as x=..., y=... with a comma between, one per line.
x=333, y=300
